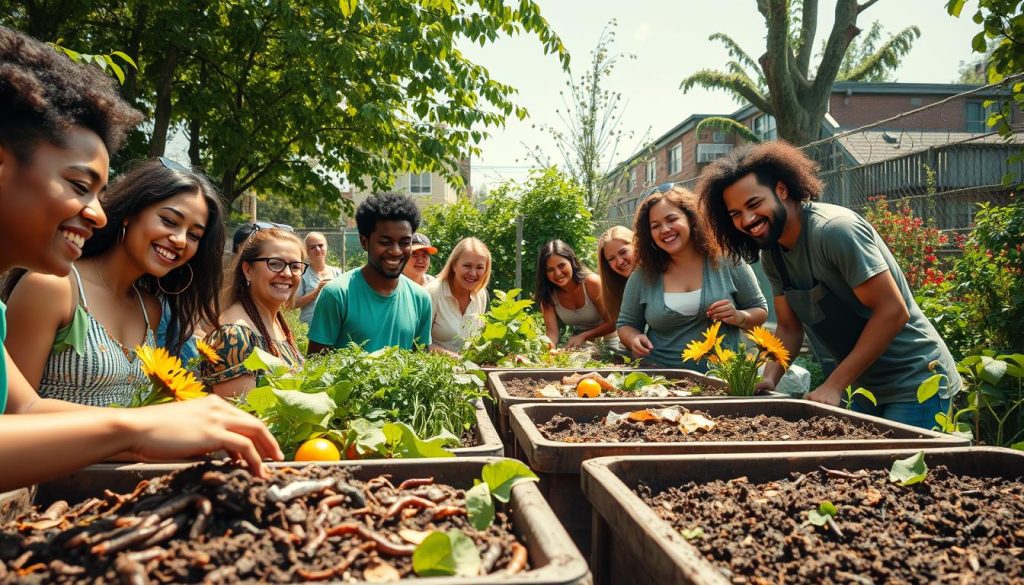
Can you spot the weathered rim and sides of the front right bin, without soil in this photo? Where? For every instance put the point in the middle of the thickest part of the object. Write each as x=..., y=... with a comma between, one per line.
x=633, y=546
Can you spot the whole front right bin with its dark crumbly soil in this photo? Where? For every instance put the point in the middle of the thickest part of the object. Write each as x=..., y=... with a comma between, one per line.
x=746, y=518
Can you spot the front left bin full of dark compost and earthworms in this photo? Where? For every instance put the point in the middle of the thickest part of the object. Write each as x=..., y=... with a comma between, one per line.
x=286, y=530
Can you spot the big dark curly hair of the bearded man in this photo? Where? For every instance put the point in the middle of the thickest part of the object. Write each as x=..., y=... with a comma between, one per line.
x=771, y=163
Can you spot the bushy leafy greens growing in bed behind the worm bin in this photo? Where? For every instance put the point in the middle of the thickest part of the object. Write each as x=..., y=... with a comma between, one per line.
x=392, y=403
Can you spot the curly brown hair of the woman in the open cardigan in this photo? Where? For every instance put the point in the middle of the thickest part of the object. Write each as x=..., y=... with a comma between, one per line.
x=656, y=261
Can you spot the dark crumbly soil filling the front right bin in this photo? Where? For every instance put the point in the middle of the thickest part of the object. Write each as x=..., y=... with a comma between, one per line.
x=951, y=529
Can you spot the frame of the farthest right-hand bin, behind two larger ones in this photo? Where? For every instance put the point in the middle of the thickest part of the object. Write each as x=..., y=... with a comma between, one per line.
x=503, y=401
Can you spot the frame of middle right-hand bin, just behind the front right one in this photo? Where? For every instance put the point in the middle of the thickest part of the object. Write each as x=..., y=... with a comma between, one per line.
x=559, y=464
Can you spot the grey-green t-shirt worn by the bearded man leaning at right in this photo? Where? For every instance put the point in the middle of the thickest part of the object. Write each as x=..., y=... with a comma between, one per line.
x=842, y=250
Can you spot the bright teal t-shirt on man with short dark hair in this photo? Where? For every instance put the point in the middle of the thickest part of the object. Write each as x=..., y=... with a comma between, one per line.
x=349, y=310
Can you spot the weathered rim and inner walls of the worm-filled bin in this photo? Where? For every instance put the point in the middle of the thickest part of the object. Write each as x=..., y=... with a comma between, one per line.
x=553, y=558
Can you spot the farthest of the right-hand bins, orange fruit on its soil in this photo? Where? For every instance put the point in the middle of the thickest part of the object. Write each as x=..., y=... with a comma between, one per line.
x=510, y=388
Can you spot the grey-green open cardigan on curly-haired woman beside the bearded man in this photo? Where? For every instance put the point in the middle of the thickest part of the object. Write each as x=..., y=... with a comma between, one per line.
x=644, y=309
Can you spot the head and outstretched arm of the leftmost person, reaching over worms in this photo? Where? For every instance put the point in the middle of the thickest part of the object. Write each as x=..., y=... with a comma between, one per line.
x=59, y=124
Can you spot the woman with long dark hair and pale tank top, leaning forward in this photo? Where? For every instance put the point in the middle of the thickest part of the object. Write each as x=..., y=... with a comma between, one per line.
x=570, y=296
